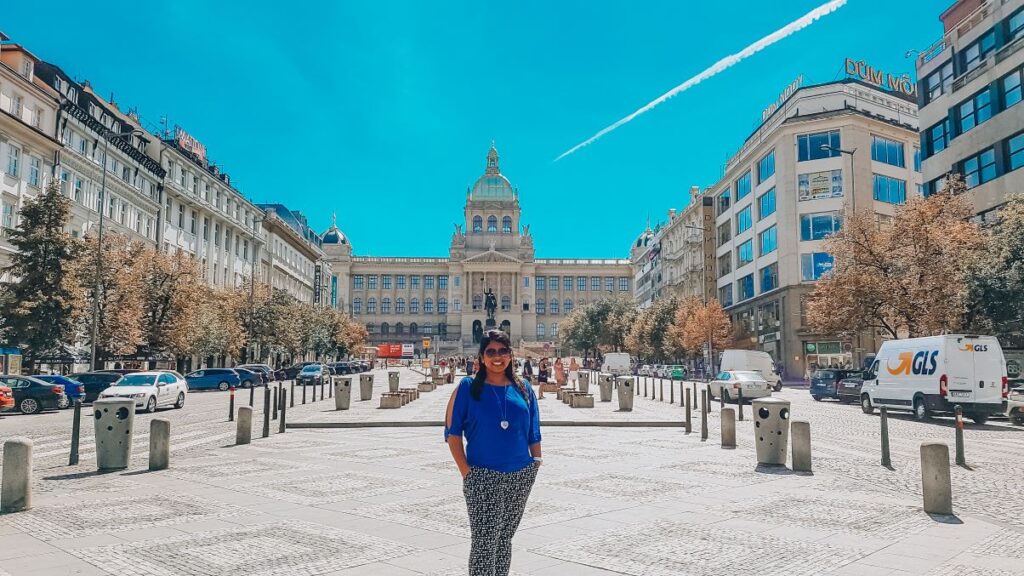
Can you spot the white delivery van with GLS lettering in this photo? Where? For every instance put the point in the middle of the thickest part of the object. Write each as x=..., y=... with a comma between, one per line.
x=936, y=374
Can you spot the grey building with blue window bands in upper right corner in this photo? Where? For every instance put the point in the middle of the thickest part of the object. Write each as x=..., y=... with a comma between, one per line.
x=970, y=90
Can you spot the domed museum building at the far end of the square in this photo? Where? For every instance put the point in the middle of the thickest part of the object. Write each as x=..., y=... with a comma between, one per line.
x=408, y=300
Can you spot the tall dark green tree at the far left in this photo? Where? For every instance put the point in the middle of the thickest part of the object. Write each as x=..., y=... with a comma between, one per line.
x=41, y=303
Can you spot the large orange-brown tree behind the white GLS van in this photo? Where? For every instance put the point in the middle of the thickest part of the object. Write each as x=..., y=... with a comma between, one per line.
x=909, y=278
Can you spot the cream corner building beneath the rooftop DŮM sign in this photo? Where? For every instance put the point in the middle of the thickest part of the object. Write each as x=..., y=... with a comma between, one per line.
x=824, y=153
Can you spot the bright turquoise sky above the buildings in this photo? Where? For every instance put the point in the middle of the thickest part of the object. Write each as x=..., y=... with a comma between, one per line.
x=383, y=112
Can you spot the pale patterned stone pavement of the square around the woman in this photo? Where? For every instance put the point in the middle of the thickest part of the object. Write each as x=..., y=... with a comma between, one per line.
x=637, y=502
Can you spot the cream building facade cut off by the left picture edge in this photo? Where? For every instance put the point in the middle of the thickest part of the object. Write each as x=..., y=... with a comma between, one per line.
x=29, y=148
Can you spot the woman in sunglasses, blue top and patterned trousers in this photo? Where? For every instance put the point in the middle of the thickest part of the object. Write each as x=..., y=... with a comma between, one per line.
x=497, y=414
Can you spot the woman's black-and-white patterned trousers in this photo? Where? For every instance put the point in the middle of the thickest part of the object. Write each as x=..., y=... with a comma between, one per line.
x=495, y=502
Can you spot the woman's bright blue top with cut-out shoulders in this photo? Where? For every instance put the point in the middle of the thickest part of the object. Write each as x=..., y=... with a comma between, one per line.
x=490, y=446
